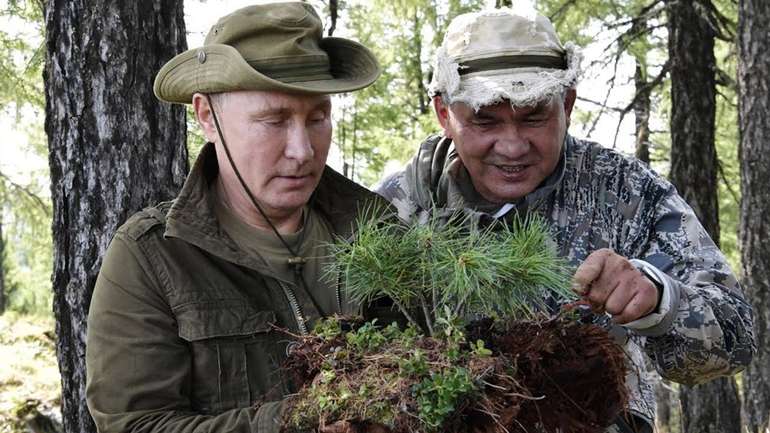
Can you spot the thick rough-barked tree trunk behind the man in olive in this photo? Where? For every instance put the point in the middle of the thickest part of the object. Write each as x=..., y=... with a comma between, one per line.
x=113, y=149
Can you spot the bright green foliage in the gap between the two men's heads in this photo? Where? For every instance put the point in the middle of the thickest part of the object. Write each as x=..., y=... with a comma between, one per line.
x=384, y=123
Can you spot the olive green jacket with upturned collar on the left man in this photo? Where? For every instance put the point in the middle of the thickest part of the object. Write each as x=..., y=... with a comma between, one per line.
x=182, y=327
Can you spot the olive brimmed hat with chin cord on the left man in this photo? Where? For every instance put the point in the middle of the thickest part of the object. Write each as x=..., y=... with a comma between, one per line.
x=276, y=46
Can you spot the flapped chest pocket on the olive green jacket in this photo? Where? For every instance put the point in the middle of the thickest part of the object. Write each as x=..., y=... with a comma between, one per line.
x=236, y=355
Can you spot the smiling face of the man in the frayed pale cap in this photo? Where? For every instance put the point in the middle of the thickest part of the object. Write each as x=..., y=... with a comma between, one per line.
x=507, y=151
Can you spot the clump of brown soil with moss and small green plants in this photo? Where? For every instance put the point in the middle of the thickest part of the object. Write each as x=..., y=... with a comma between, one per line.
x=544, y=375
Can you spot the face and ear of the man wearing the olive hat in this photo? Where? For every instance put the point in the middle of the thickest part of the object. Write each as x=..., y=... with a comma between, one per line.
x=278, y=141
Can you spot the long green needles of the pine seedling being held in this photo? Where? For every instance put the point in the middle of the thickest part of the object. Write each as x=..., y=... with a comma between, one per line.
x=446, y=264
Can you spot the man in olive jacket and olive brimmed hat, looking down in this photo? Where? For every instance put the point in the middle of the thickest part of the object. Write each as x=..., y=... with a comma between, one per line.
x=182, y=330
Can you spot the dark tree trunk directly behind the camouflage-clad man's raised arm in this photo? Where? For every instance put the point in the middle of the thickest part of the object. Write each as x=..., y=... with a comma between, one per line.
x=711, y=407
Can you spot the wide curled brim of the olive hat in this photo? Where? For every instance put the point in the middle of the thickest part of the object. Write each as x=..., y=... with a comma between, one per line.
x=221, y=68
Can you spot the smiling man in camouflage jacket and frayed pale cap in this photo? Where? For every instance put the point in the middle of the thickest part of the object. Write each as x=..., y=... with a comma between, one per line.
x=503, y=91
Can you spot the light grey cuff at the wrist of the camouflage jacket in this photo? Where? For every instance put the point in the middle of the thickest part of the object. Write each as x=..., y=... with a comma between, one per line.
x=659, y=321
